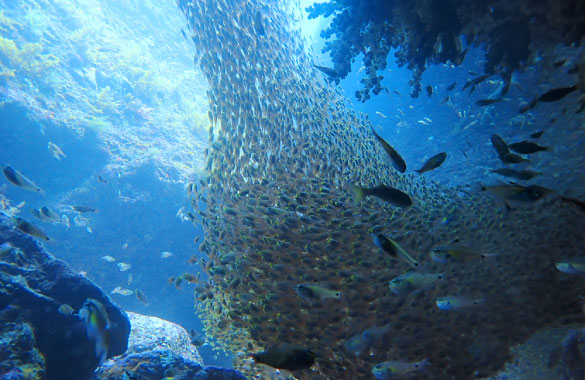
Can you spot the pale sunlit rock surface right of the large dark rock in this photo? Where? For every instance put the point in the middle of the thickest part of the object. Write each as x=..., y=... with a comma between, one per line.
x=168, y=336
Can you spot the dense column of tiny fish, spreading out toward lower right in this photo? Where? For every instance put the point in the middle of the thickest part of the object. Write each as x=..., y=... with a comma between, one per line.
x=278, y=212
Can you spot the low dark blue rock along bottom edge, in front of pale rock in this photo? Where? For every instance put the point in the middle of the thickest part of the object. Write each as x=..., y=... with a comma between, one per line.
x=161, y=363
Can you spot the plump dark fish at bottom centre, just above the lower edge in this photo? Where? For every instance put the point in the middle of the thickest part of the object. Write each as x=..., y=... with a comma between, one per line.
x=286, y=356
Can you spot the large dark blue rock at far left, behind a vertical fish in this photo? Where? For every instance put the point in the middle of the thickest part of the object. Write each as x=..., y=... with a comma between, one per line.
x=34, y=288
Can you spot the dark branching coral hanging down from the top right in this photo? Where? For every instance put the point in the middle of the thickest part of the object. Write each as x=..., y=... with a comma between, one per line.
x=427, y=32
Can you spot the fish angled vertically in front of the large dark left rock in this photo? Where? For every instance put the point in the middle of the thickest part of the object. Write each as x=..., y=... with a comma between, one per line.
x=97, y=322
